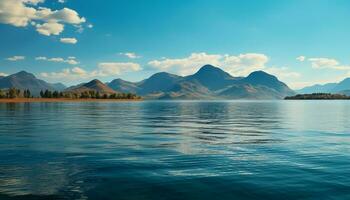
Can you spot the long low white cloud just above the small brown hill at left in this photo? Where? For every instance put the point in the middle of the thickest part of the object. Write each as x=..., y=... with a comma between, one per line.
x=104, y=69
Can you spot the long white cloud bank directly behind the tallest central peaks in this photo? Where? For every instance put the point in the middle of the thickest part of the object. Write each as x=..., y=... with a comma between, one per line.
x=239, y=65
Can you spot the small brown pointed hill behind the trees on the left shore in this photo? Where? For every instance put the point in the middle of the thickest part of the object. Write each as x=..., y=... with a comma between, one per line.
x=94, y=85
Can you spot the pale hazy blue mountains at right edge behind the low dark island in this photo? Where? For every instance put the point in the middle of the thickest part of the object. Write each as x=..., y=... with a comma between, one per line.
x=343, y=87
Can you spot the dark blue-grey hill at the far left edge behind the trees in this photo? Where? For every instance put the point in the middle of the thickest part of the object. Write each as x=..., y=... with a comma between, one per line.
x=24, y=80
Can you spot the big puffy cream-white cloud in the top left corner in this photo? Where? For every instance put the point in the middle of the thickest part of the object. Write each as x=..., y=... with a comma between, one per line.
x=21, y=13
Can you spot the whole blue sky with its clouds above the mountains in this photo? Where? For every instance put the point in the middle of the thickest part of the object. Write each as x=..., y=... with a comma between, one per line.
x=301, y=41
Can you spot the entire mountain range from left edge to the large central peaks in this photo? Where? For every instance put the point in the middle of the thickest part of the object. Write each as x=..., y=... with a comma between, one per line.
x=207, y=83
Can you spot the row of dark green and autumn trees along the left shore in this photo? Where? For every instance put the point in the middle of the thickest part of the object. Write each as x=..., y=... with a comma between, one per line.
x=14, y=93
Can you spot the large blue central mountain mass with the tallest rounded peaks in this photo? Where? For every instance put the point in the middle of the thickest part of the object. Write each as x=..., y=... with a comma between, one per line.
x=209, y=82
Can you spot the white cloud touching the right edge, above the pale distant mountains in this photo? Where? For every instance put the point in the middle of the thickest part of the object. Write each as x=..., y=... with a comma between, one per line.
x=327, y=63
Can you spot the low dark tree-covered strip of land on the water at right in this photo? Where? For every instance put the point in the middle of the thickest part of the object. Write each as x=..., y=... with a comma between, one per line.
x=318, y=96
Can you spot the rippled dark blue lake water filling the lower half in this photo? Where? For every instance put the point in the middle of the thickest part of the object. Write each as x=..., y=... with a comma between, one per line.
x=176, y=150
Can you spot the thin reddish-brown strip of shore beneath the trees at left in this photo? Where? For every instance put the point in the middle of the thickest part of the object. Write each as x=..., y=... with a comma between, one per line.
x=58, y=100
